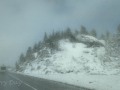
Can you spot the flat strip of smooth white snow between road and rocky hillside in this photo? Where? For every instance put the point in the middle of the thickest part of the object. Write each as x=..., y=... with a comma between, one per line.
x=97, y=82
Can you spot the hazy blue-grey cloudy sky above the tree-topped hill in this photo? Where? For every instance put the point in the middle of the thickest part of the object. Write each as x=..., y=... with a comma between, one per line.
x=23, y=22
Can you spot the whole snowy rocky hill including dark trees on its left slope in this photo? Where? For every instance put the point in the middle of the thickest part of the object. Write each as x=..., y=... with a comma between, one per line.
x=67, y=52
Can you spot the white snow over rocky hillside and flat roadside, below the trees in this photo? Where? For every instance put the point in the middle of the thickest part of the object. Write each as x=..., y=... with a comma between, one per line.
x=80, y=63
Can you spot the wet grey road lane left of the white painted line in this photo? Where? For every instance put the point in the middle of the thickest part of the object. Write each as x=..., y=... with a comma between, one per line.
x=9, y=83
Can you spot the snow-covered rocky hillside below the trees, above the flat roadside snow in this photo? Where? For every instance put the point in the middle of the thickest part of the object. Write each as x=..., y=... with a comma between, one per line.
x=84, y=56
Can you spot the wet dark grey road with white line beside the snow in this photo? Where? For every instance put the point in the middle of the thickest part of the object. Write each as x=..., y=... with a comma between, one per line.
x=12, y=81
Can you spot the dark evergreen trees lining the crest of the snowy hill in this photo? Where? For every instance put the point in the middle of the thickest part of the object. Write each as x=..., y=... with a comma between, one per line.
x=51, y=41
